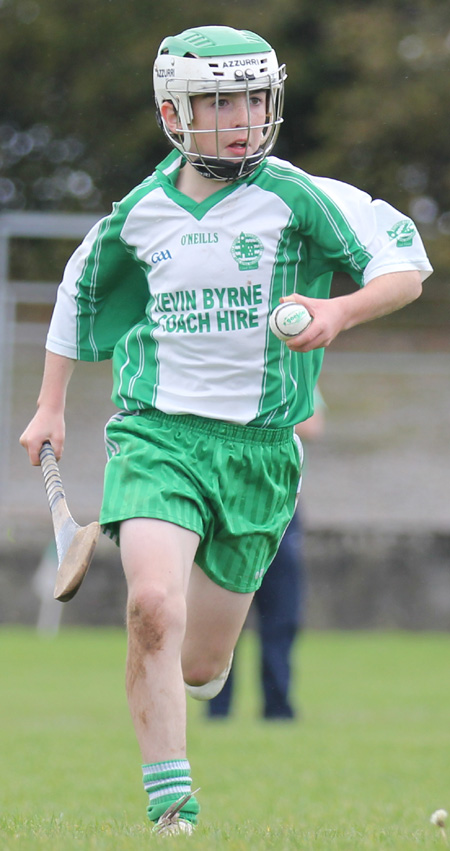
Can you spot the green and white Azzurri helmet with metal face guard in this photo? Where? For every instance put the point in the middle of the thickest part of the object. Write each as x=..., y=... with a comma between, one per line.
x=218, y=60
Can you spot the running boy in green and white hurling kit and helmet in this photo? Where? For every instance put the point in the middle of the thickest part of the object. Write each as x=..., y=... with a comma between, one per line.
x=176, y=285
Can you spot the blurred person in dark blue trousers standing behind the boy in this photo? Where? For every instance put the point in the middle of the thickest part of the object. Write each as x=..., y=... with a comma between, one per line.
x=280, y=605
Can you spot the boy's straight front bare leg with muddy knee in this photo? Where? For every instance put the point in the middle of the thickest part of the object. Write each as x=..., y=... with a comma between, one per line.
x=157, y=559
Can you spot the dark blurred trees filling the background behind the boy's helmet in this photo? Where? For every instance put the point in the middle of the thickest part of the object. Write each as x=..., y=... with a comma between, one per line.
x=367, y=99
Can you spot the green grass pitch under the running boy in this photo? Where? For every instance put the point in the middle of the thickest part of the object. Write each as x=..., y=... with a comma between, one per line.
x=364, y=767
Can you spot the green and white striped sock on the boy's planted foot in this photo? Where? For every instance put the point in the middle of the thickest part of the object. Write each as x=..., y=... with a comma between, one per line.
x=167, y=782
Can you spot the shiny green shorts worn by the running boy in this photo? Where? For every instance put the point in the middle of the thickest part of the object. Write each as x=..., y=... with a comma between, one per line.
x=235, y=486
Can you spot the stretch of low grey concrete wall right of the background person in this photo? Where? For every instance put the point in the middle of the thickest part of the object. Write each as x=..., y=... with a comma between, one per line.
x=373, y=579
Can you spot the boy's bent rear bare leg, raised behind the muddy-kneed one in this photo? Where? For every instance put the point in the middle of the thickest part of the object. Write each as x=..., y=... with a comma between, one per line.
x=215, y=618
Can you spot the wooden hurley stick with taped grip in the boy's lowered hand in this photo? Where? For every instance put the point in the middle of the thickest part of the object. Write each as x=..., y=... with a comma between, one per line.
x=75, y=544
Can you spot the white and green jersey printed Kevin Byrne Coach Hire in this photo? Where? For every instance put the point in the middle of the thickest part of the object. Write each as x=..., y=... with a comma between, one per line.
x=178, y=293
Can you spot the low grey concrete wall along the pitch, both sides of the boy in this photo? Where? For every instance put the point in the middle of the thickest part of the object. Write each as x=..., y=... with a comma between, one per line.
x=356, y=580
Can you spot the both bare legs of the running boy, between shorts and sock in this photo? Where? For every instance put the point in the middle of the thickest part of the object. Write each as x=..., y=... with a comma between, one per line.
x=176, y=616
